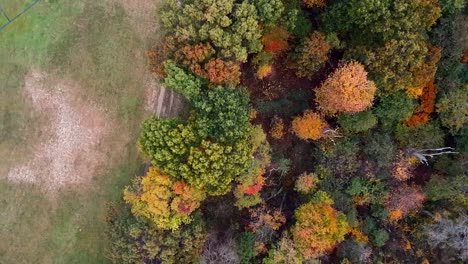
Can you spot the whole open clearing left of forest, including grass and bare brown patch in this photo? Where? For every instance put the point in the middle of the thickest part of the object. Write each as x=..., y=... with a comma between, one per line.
x=74, y=88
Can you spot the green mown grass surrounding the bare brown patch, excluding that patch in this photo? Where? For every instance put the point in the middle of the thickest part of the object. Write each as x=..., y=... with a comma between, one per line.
x=96, y=45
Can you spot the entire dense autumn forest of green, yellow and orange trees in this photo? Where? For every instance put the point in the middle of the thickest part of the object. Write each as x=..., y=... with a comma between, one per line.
x=318, y=131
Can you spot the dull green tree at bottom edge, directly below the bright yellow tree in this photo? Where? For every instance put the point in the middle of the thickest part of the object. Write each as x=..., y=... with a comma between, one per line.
x=135, y=240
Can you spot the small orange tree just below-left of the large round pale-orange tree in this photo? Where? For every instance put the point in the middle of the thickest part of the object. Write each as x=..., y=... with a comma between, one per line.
x=309, y=126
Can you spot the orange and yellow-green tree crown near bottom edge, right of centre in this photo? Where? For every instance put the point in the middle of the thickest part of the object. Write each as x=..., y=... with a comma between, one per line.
x=318, y=229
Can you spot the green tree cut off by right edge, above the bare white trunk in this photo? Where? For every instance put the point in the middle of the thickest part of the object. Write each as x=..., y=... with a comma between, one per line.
x=453, y=109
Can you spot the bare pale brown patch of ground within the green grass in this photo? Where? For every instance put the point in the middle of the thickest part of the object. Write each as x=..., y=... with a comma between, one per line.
x=69, y=149
